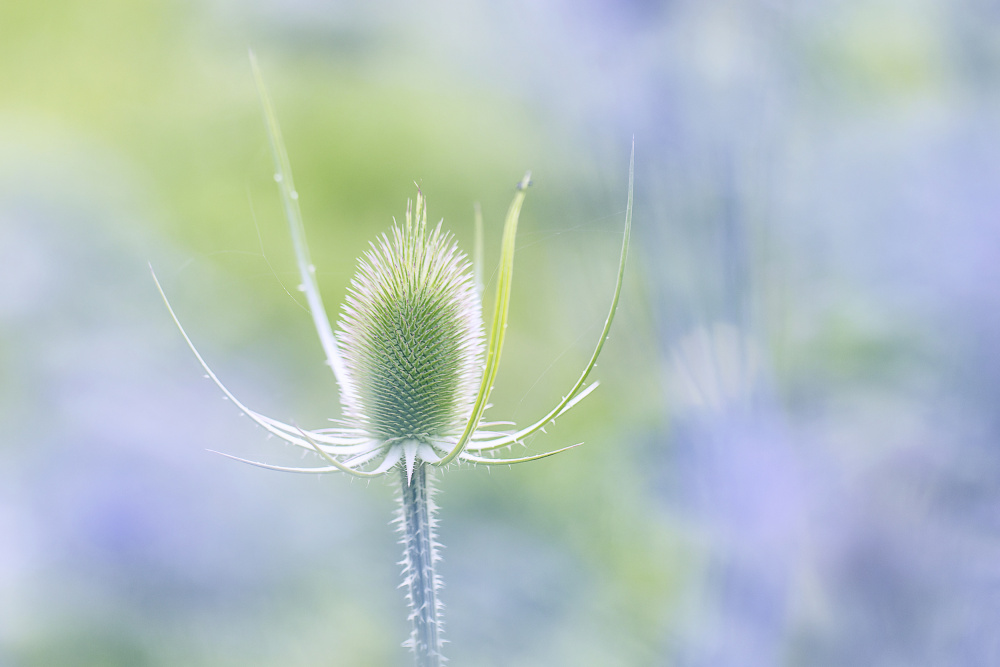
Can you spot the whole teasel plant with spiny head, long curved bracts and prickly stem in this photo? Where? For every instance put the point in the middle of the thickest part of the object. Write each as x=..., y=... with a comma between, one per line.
x=415, y=369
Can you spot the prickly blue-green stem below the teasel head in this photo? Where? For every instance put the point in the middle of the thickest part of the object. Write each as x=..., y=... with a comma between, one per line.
x=419, y=556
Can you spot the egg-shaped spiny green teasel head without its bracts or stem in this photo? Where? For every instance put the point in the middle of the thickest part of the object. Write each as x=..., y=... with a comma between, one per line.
x=411, y=333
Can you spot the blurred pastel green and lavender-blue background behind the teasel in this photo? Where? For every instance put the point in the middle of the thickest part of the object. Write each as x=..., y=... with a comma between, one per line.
x=793, y=456
